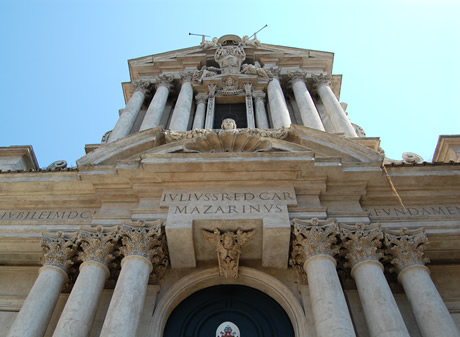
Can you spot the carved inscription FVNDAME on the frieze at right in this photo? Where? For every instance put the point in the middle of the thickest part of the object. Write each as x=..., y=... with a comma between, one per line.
x=415, y=211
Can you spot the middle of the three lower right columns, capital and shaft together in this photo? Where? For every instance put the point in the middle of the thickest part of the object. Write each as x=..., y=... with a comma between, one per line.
x=380, y=309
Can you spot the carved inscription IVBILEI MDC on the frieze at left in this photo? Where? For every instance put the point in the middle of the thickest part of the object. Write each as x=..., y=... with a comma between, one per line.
x=7, y=215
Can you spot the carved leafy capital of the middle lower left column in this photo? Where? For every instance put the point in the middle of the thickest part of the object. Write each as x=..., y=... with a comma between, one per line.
x=97, y=245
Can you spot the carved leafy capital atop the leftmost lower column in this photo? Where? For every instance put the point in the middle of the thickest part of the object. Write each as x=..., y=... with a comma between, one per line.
x=58, y=251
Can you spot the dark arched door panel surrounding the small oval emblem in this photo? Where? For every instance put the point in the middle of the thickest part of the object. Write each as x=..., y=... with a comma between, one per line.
x=253, y=312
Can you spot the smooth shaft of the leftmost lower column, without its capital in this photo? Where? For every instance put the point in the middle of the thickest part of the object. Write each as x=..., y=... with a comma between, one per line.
x=35, y=314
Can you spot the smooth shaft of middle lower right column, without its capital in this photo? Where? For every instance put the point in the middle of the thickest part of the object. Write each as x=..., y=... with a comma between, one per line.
x=380, y=309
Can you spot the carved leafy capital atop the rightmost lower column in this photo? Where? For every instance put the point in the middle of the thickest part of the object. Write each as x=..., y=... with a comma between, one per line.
x=406, y=247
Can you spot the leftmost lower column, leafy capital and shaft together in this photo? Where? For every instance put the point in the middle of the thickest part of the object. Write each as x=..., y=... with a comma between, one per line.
x=35, y=314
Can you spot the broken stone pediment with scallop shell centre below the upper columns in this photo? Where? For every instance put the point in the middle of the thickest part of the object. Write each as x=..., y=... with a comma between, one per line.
x=297, y=138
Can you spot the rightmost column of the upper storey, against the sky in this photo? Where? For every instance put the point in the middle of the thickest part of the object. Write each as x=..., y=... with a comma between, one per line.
x=336, y=114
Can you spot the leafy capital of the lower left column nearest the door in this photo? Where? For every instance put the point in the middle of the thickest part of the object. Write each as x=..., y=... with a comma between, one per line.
x=139, y=240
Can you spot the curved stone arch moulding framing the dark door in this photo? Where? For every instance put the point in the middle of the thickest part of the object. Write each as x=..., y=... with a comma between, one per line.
x=247, y=277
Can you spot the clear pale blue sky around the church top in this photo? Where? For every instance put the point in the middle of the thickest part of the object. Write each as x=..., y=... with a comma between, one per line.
x=62, y=63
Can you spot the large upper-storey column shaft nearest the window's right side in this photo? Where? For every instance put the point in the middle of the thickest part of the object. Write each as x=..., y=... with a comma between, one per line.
x=278, y=108
